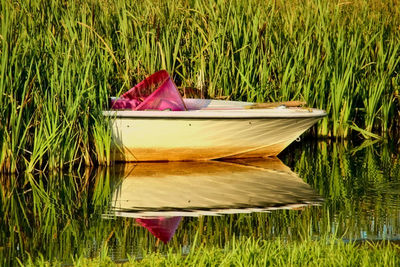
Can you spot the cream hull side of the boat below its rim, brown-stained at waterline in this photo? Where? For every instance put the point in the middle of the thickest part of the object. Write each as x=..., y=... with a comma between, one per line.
x=177, y=139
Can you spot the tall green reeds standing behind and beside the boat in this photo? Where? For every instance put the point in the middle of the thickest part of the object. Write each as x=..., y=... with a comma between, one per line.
x=62, y=60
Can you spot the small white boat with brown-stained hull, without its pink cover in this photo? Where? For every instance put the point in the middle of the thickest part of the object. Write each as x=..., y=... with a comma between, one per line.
x=209, y=129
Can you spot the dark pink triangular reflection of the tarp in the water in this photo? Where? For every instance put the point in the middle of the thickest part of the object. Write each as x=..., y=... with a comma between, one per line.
x=161, y=227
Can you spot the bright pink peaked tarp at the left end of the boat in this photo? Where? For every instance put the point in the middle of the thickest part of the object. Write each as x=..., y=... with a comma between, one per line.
x=157, y=92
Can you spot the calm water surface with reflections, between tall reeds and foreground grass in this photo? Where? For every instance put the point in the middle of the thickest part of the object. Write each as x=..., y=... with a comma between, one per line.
x=313, y=190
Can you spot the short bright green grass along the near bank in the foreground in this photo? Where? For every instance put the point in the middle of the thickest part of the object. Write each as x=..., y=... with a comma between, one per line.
x=252, y=252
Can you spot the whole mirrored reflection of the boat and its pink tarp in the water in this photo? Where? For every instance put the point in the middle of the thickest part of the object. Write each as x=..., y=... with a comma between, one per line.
x=158, y=195
